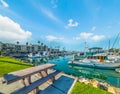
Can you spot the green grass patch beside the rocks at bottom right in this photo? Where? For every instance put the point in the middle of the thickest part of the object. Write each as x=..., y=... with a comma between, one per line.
x=81, y=88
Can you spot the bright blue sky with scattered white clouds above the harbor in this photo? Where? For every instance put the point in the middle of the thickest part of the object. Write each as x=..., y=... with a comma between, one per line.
x=68, y=24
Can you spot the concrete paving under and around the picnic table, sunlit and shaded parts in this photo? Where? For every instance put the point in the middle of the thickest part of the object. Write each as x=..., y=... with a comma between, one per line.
x=62, y=85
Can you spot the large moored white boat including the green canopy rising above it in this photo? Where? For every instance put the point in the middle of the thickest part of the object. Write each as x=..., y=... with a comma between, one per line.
x=97, y=58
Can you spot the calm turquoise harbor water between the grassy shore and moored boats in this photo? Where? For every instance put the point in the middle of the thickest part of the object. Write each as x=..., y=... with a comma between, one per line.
x=108, y=76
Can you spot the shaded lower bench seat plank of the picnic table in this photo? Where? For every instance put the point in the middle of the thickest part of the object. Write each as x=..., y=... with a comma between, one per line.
x=35, y=84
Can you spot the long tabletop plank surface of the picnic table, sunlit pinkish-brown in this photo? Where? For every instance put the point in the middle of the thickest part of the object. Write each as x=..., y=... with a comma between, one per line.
x=14, y=76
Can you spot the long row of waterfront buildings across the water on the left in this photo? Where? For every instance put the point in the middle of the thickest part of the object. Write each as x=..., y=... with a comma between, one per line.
x=21, y=49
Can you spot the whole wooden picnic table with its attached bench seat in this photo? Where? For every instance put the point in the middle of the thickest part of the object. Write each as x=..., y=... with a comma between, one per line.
x=25, y=76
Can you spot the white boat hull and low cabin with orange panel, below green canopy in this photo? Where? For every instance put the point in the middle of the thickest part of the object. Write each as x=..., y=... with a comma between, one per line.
x=96, y=62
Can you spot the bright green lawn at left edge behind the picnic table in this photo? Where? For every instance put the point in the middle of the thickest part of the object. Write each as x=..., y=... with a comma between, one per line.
x=8, y=64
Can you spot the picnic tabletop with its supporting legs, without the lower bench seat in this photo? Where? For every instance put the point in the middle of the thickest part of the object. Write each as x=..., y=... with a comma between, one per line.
x=25, y=74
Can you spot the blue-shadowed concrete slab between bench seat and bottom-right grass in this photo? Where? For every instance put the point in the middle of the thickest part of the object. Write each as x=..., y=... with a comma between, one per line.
x=60, y=86
